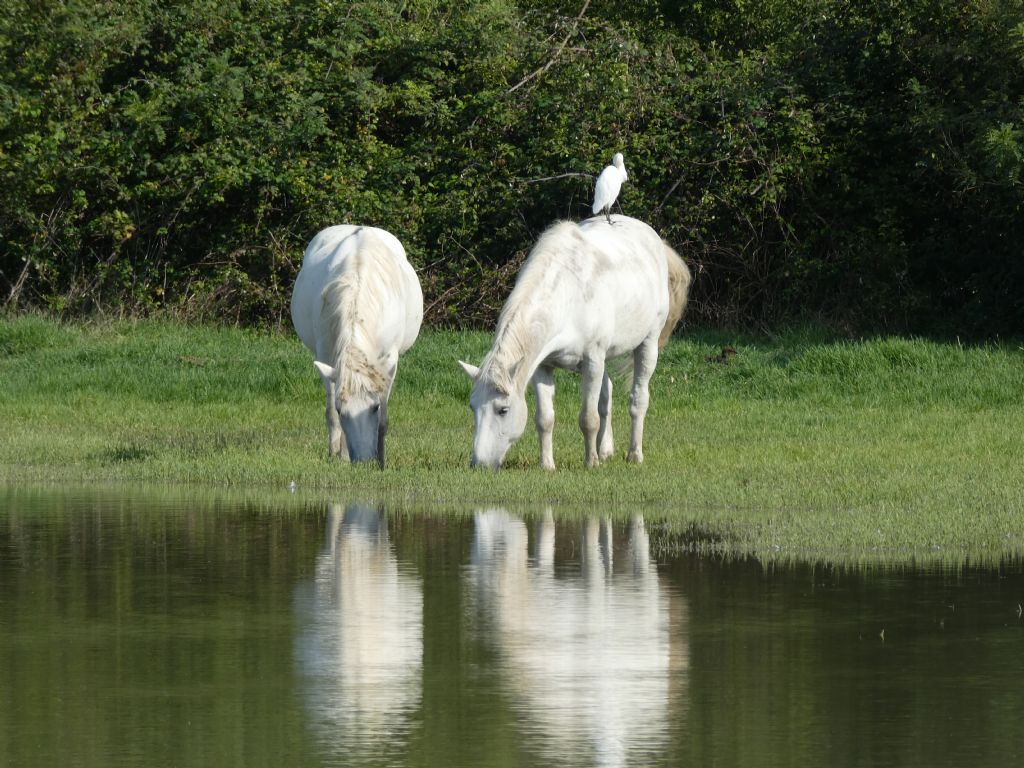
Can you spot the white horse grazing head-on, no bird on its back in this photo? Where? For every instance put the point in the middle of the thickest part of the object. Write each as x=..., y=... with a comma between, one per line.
x=357, y=306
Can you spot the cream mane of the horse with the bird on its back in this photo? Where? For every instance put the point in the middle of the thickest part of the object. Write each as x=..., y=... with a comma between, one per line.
x=517, y=328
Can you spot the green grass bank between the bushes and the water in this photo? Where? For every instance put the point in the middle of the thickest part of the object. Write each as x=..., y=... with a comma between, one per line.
x=801, y=446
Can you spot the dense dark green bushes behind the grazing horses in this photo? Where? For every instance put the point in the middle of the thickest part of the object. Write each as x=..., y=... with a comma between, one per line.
x=859, y=162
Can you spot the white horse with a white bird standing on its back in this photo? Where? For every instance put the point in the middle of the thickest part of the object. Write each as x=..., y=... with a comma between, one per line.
x=587, y=292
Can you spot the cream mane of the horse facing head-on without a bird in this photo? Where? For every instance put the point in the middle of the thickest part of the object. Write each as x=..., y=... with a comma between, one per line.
x=350, y=303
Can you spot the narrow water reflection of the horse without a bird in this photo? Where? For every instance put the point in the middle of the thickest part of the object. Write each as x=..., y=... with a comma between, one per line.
x=361, y=652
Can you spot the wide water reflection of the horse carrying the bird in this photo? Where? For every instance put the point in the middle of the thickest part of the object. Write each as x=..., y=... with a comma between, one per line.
x=591, y=658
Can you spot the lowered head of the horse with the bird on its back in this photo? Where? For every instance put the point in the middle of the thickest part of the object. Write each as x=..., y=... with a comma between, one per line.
x=500, y=416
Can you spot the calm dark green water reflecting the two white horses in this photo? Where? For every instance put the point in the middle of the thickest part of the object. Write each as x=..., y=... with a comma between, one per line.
x=142, y=631
